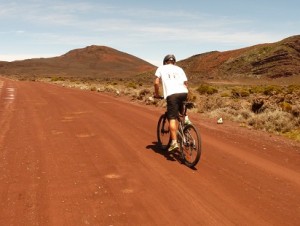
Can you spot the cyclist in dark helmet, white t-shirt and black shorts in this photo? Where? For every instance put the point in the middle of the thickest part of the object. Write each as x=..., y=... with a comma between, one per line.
x=174, y=83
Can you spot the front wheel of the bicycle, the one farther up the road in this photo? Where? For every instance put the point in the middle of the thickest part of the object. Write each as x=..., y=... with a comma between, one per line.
x=163, y=132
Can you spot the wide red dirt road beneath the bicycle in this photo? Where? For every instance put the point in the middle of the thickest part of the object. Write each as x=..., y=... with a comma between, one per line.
x=72, y=157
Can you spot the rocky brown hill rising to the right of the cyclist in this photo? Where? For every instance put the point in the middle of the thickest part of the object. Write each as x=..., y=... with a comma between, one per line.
x=260, y=62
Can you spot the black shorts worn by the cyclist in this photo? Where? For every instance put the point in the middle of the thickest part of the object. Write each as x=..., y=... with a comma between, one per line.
x=174, y=104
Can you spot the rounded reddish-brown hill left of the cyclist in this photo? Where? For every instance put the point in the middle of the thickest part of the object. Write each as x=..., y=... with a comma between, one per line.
x=92, y=61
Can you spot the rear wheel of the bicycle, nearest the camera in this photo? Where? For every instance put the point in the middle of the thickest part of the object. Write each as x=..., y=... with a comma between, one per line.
x=191, y=148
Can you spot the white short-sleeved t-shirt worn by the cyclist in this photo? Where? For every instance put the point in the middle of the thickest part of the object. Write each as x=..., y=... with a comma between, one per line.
x=173, y=78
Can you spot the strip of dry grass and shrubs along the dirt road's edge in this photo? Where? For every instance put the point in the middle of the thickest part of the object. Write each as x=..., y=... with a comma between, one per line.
x=271, y=108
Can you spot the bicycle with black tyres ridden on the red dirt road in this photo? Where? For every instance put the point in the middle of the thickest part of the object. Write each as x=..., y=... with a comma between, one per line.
x=188, y=137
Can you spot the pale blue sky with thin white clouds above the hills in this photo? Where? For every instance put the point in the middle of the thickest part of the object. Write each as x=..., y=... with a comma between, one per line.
x=146, y=29
